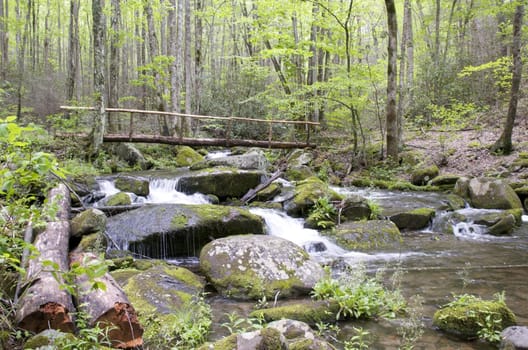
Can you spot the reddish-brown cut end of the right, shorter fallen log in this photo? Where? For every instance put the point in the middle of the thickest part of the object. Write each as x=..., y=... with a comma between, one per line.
x=125, y=331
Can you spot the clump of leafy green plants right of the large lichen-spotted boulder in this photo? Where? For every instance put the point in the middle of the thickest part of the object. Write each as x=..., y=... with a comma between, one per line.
x=360, y=296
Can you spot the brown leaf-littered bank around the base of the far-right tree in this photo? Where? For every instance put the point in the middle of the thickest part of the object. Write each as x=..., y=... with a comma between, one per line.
x=466, y=152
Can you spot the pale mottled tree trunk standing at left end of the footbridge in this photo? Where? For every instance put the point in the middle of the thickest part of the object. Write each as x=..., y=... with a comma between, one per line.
x=99, y=76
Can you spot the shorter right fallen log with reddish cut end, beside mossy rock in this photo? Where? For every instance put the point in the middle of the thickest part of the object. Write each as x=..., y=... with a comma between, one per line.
x=108, y=309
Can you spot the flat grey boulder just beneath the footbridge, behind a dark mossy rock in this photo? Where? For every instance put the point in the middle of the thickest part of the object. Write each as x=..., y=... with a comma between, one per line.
x=254, y=159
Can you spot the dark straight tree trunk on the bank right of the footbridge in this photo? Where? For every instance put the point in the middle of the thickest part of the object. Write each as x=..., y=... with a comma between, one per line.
x=392, y=115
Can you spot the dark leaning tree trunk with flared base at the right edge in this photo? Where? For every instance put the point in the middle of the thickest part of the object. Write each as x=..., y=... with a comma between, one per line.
x=504, y=143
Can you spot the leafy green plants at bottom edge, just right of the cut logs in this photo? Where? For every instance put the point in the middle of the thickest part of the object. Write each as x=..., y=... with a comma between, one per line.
x=186, y=329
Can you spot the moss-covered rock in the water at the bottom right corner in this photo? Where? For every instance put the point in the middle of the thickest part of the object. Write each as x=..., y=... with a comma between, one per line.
x=466, y=316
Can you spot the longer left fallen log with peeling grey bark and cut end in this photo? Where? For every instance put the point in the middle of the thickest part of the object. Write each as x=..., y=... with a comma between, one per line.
x=44, y=304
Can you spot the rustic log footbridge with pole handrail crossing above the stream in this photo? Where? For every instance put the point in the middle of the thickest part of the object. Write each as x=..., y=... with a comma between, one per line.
x=134, y=130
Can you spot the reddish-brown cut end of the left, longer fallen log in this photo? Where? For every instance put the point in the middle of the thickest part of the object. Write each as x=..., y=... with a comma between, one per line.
x=50, y=315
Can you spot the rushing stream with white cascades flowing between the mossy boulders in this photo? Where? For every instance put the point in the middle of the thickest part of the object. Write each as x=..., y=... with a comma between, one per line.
x=433, y=265
